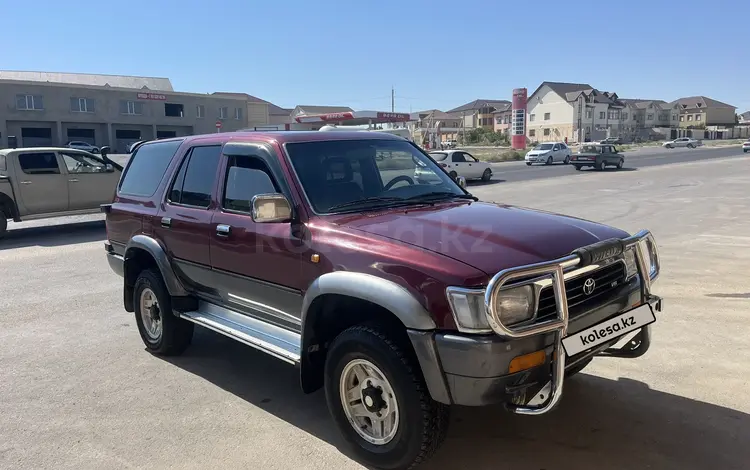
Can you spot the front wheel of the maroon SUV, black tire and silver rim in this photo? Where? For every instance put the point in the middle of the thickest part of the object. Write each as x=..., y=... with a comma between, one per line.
x=377, y=397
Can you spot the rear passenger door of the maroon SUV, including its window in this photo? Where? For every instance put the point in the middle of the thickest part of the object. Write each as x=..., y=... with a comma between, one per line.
x=183, y=221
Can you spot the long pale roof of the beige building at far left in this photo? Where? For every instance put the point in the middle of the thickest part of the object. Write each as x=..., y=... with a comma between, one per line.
x=116, y=81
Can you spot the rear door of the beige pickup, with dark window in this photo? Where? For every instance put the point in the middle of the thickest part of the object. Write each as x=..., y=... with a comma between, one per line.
x=43, y=186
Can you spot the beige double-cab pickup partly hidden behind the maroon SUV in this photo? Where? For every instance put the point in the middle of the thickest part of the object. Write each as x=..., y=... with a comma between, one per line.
x=47, y=182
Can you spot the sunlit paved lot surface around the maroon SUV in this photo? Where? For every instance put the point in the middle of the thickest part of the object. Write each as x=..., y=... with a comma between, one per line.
x=79, y=391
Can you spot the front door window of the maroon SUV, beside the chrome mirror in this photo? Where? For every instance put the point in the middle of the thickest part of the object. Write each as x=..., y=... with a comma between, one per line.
x=246, y=177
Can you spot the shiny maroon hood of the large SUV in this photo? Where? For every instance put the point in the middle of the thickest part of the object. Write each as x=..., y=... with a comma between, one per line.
x=487, y=236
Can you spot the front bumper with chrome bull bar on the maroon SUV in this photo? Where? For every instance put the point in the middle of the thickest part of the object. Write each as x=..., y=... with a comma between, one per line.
x=475, y=370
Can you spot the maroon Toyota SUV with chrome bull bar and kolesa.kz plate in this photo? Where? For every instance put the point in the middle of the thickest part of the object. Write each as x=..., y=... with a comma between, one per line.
x=398, y=298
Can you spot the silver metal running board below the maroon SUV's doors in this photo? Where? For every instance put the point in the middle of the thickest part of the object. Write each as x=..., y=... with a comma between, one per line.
x=271, y=339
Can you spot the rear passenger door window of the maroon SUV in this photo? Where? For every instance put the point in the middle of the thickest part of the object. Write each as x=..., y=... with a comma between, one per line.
x=199, y=177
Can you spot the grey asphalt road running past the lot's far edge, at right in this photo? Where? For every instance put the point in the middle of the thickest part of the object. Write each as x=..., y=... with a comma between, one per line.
x=634, y=160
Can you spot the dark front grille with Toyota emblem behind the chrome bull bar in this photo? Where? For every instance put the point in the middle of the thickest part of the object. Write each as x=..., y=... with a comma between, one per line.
x=607, y=279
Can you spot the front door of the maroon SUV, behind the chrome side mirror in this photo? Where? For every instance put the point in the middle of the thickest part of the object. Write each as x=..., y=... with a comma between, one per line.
x=257, y=266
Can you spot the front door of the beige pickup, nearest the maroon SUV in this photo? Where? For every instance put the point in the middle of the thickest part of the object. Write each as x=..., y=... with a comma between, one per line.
x=90, y=182
